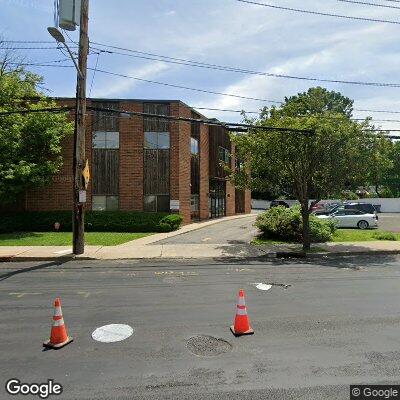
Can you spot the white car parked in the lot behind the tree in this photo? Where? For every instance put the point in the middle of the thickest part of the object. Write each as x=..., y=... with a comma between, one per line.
x=352, y=218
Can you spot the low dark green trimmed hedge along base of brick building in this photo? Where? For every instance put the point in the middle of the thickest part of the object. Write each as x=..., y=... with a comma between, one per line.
x=95, y=221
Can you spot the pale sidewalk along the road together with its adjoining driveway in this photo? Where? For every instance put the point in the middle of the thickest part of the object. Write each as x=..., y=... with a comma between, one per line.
x=224, y=238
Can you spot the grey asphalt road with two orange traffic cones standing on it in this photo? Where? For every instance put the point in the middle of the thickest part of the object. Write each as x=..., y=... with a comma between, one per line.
x=337, y=323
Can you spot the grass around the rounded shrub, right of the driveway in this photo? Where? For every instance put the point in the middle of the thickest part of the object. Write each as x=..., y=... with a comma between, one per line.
x=343, y=235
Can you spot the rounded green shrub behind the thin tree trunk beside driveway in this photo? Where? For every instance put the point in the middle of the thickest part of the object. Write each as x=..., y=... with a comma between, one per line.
x=286, y=224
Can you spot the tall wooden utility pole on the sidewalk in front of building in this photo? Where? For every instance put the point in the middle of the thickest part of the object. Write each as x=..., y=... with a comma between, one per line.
x=79, y=159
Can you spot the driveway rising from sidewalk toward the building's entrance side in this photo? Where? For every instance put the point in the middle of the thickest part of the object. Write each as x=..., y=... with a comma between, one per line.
x=234, y=231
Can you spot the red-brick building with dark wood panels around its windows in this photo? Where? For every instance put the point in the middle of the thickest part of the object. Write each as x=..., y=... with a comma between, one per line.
x=148, y=164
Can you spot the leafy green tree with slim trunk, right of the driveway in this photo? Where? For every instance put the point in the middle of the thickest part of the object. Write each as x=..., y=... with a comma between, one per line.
x=310, y=167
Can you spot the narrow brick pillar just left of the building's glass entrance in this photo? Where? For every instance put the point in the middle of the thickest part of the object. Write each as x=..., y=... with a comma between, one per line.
x=204, y=171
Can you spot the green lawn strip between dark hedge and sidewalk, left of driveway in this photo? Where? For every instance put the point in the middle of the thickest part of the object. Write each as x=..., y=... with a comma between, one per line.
x=65, y=238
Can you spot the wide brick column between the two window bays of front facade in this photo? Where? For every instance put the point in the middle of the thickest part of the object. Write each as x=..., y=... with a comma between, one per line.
x=131, y=159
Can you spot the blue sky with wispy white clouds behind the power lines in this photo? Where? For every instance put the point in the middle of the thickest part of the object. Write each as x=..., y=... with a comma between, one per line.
x=229, y=33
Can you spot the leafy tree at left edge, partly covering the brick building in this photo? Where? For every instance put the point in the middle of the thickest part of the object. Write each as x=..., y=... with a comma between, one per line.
x=30, y=144
